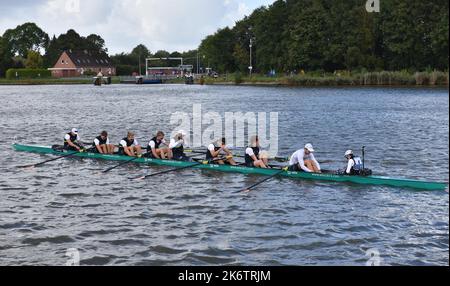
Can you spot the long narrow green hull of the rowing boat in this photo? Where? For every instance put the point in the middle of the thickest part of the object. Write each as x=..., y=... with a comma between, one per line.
x=370, y=180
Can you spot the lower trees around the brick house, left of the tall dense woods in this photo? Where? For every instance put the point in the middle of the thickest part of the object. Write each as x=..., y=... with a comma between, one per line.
x=28, y=46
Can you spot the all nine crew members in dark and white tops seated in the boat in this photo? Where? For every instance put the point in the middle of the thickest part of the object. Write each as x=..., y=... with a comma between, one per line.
x=302, y=160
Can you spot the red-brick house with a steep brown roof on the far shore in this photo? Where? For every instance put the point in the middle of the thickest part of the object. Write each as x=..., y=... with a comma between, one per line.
x=80, y=63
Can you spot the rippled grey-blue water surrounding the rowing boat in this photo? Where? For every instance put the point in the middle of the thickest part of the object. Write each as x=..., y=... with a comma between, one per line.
x=193, y=217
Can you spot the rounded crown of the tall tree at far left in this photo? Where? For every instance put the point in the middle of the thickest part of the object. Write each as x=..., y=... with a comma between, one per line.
x=26, y=37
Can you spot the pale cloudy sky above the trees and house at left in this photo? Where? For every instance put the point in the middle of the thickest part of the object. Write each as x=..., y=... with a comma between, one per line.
x=172, y=25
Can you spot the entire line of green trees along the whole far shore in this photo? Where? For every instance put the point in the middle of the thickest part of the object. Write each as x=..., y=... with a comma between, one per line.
x=287, y=36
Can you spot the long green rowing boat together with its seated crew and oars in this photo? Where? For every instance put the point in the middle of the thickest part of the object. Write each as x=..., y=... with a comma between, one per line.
x=218, y=157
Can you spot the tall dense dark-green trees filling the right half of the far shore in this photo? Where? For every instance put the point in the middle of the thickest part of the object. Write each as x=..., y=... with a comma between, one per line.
x=322, y=35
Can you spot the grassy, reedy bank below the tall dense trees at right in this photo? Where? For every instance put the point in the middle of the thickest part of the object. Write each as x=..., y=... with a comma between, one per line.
x=434, y=78
